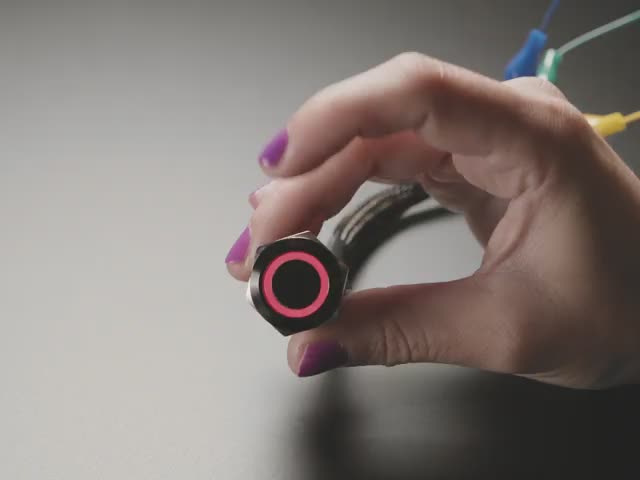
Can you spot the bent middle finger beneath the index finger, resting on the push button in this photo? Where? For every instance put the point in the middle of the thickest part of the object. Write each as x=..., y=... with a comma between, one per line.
x=291, y=205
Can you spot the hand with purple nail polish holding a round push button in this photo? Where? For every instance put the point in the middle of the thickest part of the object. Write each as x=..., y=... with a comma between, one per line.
x=557, y=296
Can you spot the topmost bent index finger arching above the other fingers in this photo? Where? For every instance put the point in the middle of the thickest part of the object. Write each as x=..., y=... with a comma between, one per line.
x=453, y=109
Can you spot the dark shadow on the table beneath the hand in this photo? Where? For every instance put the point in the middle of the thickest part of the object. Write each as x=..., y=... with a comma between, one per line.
x=500, y=427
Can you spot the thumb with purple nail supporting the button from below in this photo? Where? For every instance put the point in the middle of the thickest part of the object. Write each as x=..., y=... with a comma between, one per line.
x=464, y=322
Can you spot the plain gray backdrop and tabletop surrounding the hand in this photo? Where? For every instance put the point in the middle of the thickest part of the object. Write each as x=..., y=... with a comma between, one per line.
x=128, y=137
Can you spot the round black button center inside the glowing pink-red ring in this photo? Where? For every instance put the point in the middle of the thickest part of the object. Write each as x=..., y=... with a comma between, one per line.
x=296, y=284
